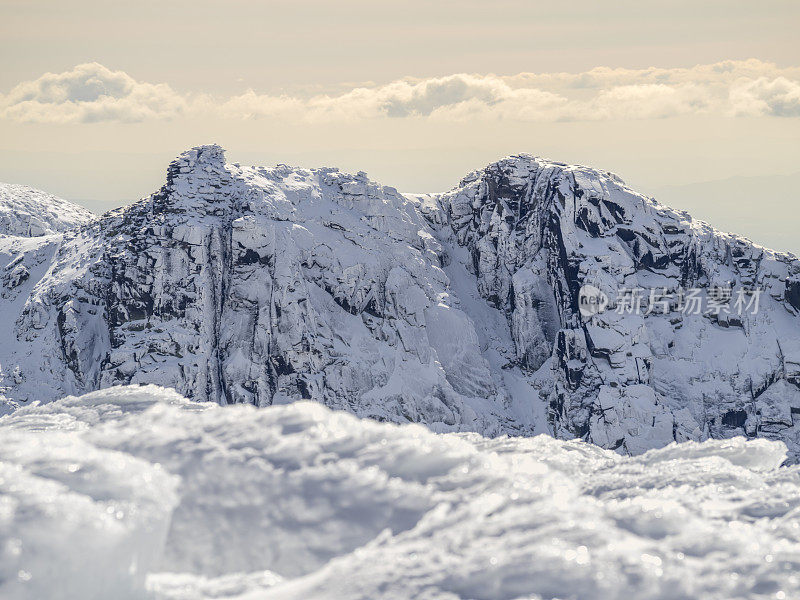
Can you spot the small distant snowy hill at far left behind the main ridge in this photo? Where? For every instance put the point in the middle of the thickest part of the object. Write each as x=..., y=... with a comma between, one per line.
x=29, y=212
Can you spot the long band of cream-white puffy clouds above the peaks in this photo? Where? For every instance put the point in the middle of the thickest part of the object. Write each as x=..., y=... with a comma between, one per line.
x=91, y=93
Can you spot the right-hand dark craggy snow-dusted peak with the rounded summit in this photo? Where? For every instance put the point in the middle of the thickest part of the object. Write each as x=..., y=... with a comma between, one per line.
x=631, y=380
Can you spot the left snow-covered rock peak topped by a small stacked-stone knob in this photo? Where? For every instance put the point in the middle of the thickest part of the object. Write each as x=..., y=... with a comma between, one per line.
x=259, y=286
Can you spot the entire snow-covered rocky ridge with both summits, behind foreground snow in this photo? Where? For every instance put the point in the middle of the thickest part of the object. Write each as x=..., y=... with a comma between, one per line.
x=459, y=310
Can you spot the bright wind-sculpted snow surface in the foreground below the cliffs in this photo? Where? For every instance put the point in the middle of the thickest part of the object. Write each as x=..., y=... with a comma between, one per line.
x=134, y=491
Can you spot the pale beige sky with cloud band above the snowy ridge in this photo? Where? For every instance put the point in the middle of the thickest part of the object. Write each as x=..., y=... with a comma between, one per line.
x=695, y=102
